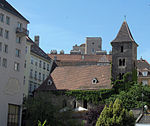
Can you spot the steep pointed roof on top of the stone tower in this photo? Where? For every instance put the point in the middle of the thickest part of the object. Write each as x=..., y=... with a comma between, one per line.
x=124, y=34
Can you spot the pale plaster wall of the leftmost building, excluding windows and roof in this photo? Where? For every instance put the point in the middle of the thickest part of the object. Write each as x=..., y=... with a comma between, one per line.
x=11, y=81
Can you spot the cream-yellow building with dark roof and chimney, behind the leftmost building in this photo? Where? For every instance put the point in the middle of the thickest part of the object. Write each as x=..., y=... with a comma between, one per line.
x=37, y=66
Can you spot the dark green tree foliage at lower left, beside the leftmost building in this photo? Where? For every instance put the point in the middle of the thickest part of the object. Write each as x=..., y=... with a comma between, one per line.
x=41, y=108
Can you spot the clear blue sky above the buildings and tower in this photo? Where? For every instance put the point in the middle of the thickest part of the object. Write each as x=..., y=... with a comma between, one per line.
x=63, y=23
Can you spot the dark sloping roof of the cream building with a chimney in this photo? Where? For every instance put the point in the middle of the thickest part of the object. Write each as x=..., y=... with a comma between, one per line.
x=37, y=50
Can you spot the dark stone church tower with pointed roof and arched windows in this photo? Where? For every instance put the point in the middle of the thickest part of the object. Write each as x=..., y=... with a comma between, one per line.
x=124, y=52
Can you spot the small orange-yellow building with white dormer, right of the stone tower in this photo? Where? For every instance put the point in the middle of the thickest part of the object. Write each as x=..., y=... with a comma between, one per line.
x=143, y=72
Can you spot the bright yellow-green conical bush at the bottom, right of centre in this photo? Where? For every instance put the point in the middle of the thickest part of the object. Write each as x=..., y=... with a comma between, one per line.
x=115, y=115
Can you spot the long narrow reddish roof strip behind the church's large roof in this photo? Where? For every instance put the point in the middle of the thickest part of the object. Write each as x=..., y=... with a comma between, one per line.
x=70, y=57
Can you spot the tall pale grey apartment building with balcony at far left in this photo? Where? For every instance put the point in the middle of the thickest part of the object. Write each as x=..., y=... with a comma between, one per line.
x=13, y=29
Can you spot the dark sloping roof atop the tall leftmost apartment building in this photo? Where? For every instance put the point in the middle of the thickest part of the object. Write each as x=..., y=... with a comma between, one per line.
x=7, y=7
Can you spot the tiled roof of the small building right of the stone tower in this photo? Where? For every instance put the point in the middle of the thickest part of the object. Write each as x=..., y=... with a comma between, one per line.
x=143, y=64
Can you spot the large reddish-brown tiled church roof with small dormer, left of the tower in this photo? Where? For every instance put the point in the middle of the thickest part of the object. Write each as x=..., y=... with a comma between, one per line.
x=80, y=77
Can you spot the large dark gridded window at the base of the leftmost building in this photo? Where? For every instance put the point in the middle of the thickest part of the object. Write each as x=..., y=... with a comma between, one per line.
x=13, y=115
